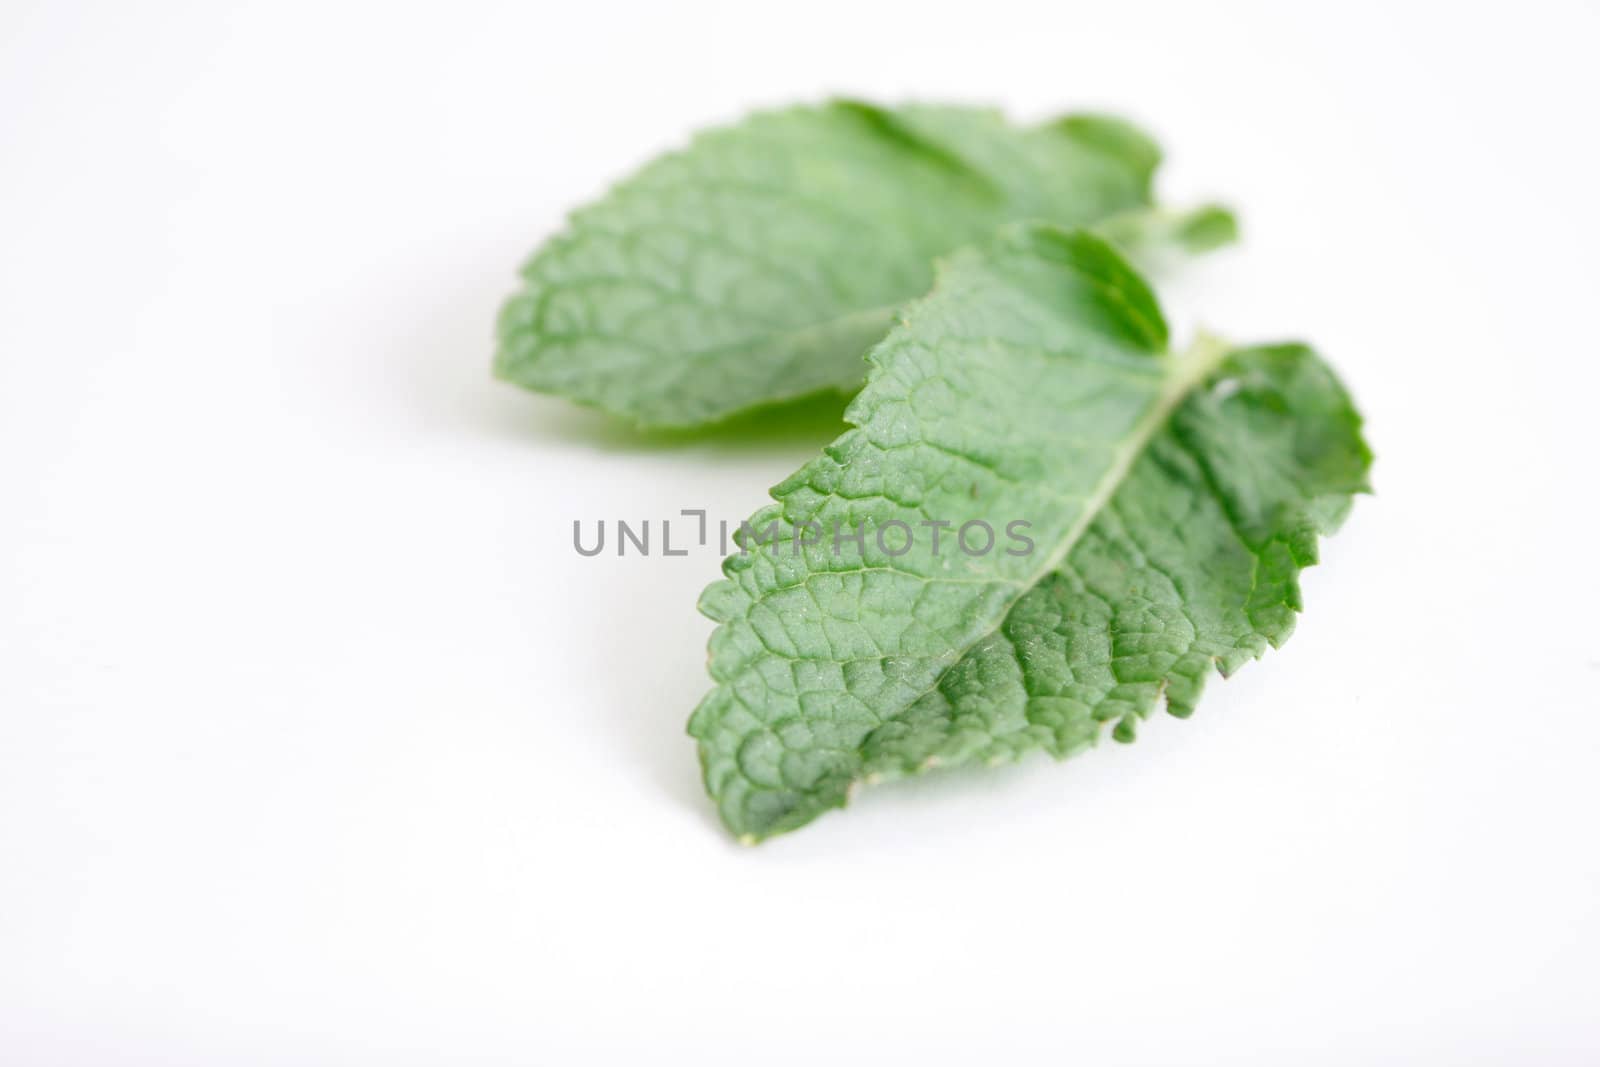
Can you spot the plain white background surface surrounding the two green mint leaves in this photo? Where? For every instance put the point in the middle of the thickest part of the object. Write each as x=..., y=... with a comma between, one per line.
x=319, y=745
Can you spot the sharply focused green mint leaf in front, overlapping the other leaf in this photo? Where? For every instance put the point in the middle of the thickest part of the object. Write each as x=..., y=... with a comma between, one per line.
x=1174, y=502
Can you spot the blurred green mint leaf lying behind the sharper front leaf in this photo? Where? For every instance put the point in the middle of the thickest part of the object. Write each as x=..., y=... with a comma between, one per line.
x=761, y=263
